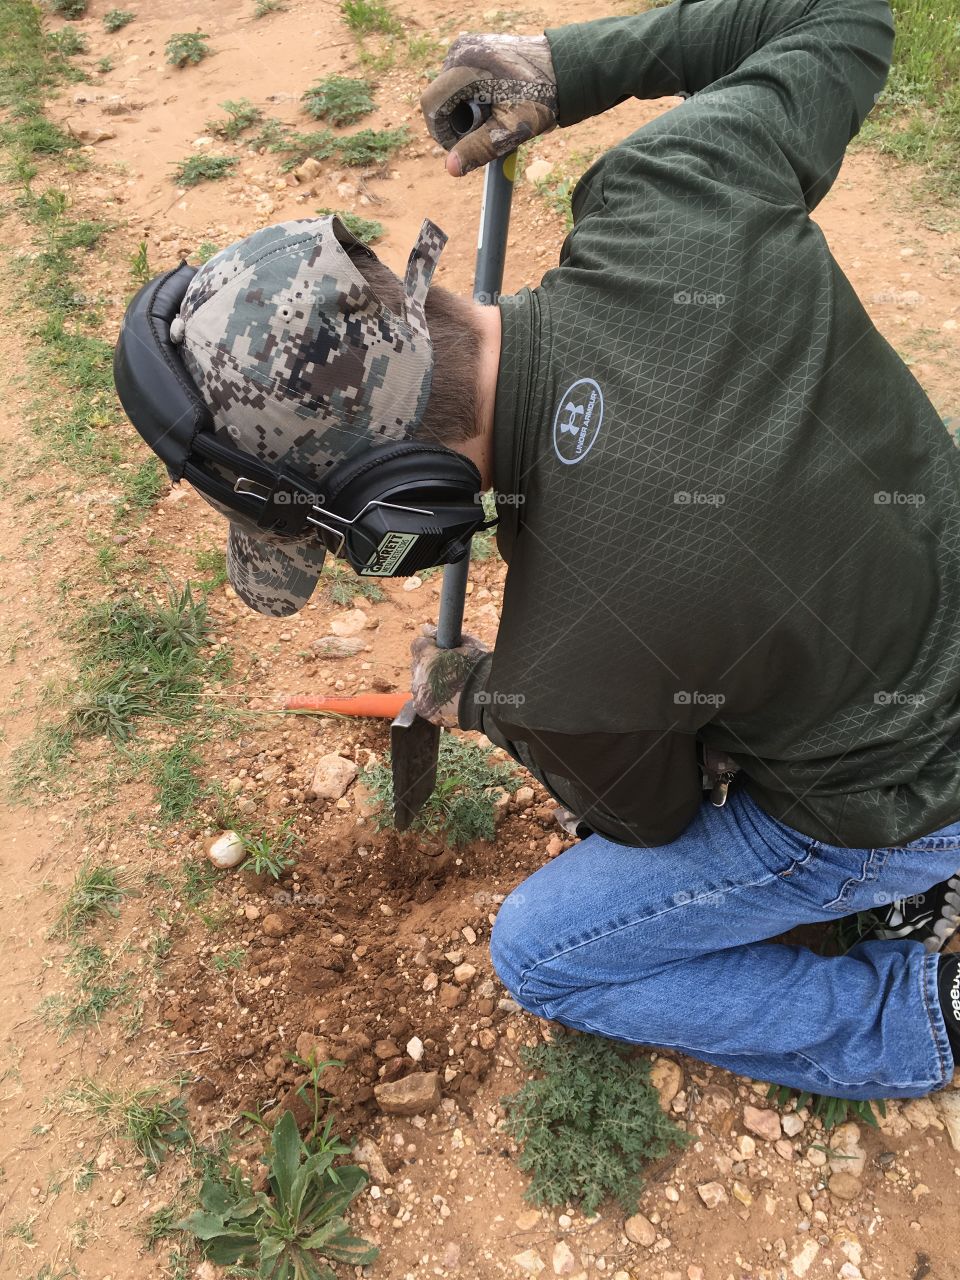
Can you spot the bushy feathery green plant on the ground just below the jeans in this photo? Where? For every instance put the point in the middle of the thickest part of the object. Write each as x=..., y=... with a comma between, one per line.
x=588, y=1123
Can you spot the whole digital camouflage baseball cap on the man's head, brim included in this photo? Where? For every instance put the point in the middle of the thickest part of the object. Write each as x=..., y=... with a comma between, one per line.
x=301, y=364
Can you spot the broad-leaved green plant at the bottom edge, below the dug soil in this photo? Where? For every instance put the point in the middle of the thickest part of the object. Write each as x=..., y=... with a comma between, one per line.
x=287, y=1229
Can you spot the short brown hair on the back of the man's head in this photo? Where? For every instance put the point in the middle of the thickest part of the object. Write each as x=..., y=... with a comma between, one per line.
x=454, y=406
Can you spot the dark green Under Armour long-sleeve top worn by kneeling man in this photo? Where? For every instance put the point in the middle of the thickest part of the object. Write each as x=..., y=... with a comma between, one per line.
x=729, y=510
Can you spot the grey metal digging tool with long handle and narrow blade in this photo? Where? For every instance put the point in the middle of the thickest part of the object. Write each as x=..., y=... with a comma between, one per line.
x=415, y=743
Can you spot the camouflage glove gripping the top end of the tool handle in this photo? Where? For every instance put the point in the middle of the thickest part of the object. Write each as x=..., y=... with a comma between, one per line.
x=514, y=75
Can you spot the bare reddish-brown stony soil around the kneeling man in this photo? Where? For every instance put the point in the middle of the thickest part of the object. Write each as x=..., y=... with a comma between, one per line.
x=372, y=925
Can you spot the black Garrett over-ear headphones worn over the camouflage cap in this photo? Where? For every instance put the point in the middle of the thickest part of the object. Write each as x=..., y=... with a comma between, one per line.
x=396, y=509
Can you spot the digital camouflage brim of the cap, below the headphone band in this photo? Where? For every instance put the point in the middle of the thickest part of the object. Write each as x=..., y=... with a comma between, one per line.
x=273, y=579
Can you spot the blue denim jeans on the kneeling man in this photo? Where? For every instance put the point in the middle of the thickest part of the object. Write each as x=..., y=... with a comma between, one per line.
x=665, y=947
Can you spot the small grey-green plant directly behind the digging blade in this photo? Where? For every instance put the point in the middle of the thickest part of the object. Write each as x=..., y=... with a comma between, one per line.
x=463, y=802
